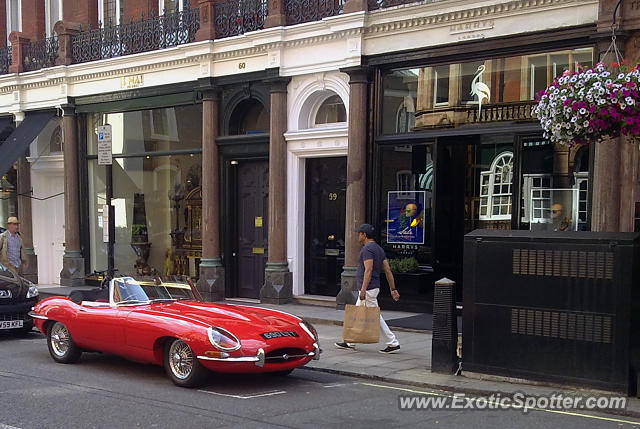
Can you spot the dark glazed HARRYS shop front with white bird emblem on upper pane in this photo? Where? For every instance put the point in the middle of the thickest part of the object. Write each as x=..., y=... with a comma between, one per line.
x=458, y=149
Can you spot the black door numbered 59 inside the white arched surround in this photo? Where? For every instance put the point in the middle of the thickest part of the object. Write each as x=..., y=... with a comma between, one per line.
x=326, y=182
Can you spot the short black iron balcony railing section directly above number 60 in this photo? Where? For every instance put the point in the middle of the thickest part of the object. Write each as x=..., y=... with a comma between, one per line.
x=234, y=17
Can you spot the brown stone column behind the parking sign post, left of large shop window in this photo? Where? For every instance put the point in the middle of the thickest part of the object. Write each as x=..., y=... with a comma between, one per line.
x=72, y=273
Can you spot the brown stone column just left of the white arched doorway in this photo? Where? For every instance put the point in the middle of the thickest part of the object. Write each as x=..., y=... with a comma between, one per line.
x=278, y=280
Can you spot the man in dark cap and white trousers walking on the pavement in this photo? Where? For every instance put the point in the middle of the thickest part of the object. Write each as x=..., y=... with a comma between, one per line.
x=371, y=262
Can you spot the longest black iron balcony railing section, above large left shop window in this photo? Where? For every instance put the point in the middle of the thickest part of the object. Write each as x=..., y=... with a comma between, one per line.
x=172, y=28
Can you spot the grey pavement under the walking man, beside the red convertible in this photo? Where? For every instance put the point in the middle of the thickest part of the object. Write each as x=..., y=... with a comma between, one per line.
x=410, y=366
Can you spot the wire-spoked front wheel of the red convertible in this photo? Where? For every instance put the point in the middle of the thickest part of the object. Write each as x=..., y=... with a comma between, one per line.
x=182, y=365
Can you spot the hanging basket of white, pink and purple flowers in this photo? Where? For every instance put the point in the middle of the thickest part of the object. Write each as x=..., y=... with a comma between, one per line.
x=591, y=105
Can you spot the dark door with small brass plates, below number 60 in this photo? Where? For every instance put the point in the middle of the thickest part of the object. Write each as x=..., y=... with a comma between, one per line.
x=252, y=199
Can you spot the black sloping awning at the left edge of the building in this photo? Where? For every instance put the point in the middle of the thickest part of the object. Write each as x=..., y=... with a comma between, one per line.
x=18, y=142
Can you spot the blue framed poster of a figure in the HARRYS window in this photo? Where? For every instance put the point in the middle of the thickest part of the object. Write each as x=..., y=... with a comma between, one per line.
x=405, y=217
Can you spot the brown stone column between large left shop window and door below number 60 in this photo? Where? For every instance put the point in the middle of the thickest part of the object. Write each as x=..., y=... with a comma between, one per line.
x=211, y=281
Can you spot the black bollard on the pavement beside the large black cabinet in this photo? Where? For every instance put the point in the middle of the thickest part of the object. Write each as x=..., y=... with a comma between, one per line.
x=444, y=340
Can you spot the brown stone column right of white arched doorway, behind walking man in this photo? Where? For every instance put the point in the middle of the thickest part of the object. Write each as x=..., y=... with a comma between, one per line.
x=356, y=181
